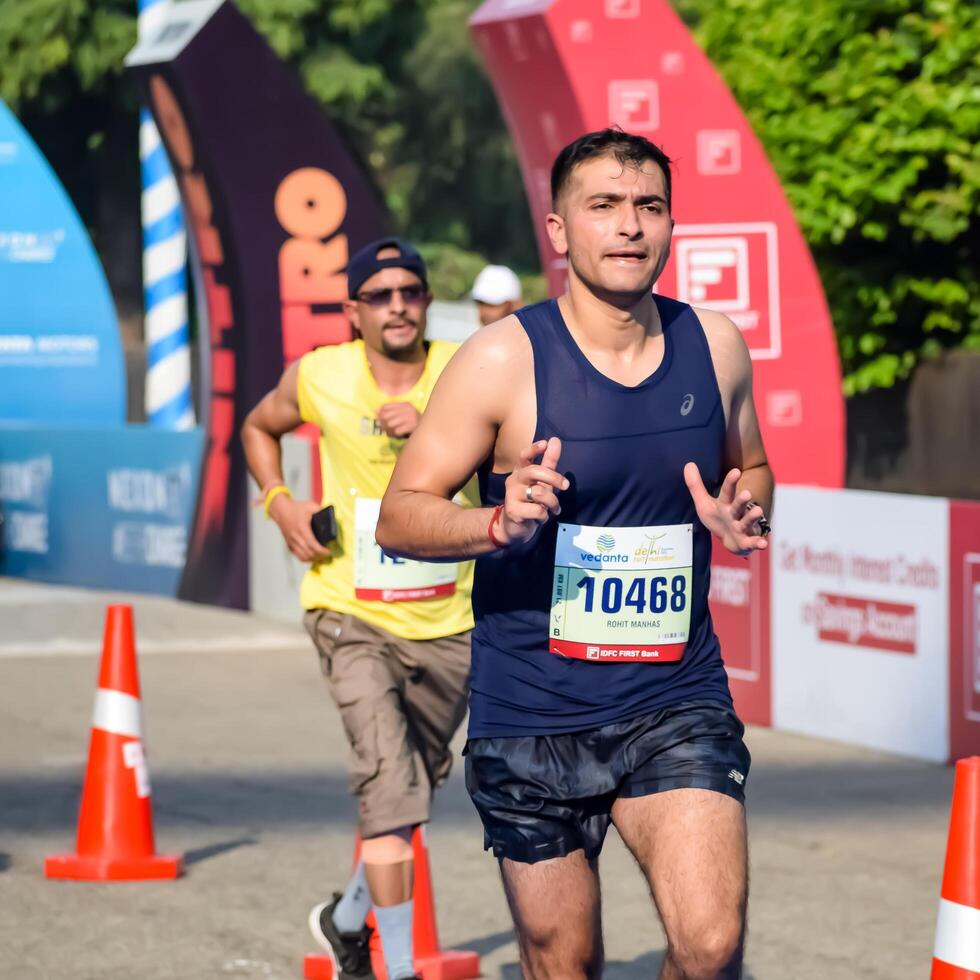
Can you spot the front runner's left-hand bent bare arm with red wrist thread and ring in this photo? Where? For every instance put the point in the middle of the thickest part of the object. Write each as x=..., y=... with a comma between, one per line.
x=456, y=434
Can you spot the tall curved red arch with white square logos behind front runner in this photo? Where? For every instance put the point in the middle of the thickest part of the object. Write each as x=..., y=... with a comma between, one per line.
x=562, y=68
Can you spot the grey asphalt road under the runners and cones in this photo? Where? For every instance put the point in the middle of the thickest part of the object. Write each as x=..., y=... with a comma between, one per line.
x=247, y=763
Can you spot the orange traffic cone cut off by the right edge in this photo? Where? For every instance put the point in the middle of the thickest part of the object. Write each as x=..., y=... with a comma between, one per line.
x=957, y=952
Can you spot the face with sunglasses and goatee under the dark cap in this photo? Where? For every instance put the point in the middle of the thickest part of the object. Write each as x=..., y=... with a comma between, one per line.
x=391, y=322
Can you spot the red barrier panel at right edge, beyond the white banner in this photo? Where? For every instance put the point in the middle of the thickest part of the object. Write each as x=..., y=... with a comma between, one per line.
x=964, y=629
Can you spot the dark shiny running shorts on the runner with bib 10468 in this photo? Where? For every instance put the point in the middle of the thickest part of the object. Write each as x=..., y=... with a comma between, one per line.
x=544, y=796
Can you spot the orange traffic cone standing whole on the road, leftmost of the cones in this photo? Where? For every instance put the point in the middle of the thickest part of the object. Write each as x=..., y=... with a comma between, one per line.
x=115, y=823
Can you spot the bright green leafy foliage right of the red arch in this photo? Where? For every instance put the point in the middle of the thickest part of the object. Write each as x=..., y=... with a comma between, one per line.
x=870, y=113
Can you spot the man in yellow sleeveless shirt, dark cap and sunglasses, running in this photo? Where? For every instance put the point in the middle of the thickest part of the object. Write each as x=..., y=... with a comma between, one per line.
x=393, y=636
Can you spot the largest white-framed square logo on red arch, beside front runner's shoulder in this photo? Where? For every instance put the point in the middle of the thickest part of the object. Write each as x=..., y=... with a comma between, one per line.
x=734, y=269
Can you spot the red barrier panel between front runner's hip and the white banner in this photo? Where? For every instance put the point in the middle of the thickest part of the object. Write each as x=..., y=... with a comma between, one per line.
x=739, y=601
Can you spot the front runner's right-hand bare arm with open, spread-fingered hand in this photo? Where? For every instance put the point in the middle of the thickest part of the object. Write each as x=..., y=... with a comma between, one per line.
x=749, y=478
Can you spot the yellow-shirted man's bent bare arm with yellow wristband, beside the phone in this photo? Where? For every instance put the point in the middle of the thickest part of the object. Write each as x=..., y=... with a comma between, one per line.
x=274, y=416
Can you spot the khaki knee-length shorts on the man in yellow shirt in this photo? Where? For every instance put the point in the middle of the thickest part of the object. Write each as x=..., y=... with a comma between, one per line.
x=401, y=702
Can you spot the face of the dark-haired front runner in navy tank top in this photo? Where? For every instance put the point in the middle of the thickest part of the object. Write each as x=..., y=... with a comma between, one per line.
x=615, y=227
